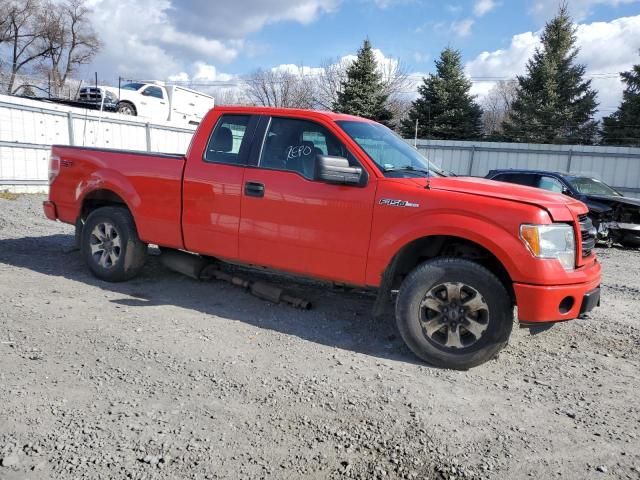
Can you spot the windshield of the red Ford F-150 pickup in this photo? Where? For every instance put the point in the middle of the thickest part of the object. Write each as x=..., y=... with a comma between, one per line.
x=392, y=155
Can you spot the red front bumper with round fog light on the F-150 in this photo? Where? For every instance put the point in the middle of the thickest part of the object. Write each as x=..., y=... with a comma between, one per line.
x=554, y=303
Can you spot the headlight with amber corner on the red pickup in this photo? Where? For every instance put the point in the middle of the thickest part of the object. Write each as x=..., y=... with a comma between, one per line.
x=551, y=241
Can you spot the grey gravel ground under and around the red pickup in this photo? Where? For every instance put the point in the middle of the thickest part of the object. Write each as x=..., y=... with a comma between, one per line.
x=166, y=377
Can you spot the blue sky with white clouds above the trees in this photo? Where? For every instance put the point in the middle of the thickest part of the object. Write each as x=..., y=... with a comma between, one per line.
x=222, y=40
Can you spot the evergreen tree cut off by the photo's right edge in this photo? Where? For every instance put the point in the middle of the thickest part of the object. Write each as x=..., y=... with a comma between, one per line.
x=623, y=126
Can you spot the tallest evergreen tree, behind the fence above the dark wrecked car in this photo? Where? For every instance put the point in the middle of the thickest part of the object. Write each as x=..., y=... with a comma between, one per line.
x=554, y=104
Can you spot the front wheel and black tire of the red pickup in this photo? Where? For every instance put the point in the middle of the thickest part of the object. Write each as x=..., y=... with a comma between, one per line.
x=493, y=312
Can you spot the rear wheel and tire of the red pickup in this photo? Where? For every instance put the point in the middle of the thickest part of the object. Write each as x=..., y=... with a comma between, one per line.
x=122, y=258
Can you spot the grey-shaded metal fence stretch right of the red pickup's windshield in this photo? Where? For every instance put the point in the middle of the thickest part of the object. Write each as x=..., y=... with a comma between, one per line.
x=616, y=166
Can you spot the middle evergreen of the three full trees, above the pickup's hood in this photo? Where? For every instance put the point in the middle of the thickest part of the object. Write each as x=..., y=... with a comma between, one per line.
x=445, y=109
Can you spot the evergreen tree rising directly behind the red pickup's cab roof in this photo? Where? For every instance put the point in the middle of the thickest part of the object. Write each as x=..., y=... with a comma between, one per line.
x=362, y=93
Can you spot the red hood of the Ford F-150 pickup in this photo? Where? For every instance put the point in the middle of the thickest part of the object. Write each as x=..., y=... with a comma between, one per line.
x=560, y=207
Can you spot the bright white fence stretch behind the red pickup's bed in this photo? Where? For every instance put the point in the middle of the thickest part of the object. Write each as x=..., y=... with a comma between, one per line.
x=28, y=128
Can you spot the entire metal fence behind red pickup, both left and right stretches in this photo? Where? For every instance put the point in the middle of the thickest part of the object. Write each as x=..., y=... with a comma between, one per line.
x=28, y=128
